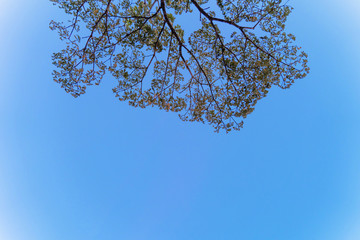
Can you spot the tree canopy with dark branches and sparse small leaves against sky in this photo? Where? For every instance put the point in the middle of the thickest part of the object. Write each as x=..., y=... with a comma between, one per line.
x=214, y=74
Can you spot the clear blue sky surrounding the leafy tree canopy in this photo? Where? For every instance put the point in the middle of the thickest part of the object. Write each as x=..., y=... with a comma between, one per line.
x=94, y=168
